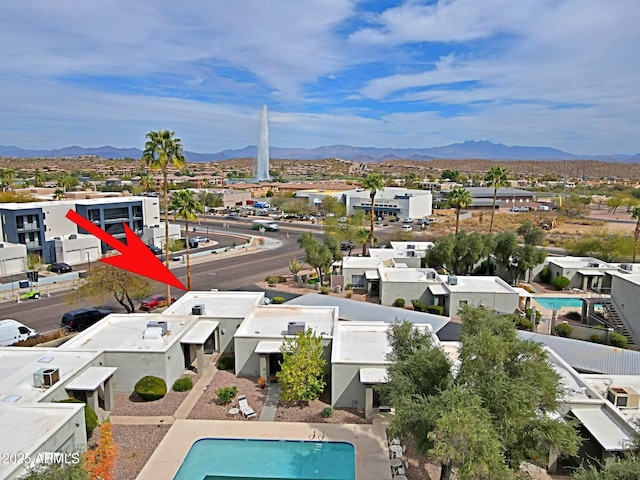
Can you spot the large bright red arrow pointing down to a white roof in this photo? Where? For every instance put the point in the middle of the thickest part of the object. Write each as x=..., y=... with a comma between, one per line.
x=134, y=257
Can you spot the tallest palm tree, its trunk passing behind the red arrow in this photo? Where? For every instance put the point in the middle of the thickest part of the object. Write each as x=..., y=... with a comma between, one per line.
x=161, y=151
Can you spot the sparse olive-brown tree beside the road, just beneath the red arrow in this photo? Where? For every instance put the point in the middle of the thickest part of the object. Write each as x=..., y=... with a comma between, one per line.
x=104, y=281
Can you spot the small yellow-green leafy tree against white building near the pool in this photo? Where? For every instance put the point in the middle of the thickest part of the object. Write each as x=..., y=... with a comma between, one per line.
x=302, y=374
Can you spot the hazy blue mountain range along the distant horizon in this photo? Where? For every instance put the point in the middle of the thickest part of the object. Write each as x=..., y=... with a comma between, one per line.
x=477, y=150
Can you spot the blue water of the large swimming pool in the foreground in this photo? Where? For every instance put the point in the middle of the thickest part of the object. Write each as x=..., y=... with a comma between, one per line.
x=235, y=459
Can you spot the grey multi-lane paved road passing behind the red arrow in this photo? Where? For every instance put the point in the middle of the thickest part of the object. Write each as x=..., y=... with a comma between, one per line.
x=221, y=272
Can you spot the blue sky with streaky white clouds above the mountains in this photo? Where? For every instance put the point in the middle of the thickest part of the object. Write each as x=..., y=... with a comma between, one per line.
x=556, y=73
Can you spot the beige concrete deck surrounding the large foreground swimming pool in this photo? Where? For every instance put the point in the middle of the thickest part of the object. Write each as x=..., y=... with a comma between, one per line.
x=370, y=441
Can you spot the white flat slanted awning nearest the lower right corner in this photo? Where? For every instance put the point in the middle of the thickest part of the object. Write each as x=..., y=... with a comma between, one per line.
x=604, y=427
